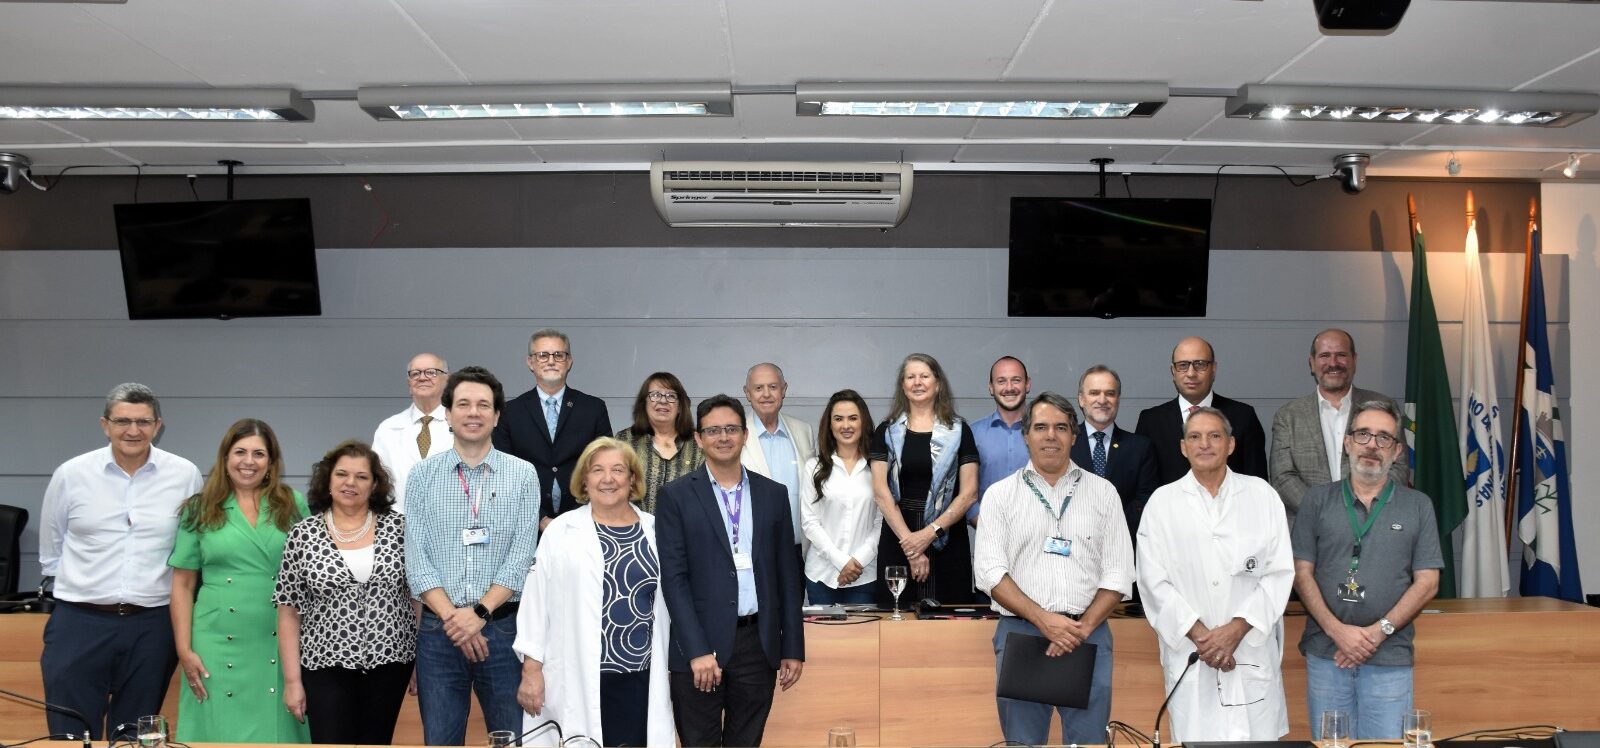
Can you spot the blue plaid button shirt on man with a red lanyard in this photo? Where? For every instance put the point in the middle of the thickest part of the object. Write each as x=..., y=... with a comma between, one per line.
x=439, y=511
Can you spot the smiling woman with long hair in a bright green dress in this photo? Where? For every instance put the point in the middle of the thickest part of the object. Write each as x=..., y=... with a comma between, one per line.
x=230, y=546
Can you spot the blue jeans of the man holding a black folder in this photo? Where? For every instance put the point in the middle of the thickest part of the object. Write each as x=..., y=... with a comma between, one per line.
x=1030, y=722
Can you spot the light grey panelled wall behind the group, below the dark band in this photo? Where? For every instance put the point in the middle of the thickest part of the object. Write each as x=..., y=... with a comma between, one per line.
x=833, y=317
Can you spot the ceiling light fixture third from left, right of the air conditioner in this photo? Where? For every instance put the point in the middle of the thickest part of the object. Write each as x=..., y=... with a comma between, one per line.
x=1033, y=101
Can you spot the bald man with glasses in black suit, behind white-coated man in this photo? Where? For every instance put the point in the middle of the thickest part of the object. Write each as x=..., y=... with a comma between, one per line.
x=1194, y=372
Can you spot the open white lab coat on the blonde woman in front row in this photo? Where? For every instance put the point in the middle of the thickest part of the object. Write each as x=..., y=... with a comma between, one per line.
x=559, y=624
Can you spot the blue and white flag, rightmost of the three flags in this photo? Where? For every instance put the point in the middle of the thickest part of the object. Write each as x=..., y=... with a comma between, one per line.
x=1545, y=501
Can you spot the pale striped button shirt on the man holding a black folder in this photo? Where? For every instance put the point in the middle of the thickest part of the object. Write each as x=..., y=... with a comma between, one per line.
x=1015, y=527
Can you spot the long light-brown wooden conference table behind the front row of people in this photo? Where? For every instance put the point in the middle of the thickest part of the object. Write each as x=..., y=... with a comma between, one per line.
x=930, y=683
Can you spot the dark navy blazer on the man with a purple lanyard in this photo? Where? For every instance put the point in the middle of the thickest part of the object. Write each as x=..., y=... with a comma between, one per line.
x=698, y=579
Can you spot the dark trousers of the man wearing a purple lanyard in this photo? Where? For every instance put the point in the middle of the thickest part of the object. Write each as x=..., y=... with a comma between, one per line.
x=735, y=714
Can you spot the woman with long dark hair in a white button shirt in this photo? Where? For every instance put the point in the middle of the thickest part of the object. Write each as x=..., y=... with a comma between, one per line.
x=838, y=512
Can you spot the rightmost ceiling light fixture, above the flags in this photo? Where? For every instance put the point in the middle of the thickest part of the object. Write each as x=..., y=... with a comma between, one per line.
x=1412, y=105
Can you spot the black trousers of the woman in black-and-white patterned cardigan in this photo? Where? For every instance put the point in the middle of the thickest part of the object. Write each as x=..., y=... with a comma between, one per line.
x=356, y=707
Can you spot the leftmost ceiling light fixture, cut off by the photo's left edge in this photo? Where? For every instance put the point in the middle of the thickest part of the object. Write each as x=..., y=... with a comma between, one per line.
x=150, y=103
